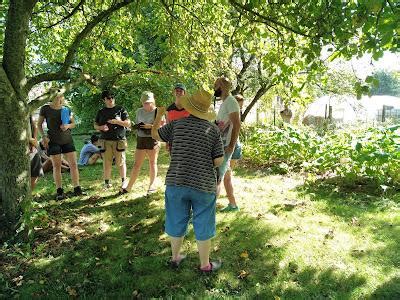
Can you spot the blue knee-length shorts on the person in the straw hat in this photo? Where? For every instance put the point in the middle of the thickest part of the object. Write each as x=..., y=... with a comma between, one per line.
x=179, y=202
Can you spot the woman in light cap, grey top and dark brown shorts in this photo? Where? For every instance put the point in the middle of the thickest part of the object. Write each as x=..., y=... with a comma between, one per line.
x=146, y=145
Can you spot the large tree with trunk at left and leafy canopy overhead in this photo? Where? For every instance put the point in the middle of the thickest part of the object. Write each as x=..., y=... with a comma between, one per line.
x=71, y=41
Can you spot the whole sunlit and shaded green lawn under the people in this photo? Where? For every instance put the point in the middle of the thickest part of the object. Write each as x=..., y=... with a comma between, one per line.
x=290, y=240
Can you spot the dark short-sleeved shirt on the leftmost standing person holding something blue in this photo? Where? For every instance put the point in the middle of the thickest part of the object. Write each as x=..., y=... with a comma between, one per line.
x=53, y=120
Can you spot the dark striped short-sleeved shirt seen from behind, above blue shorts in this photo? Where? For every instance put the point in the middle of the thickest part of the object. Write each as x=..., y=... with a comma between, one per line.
x=195, y=145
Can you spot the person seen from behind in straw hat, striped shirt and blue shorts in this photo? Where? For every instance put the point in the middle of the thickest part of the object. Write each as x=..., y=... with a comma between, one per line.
x=191, y=180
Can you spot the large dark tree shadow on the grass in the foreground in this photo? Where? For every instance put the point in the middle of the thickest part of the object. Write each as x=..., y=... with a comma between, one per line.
x=127, y=258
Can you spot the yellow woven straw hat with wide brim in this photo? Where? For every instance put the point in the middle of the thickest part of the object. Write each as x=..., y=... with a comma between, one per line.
x=199, y=104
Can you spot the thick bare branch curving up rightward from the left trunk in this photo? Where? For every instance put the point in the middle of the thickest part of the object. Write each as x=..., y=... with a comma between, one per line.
x=72, y=49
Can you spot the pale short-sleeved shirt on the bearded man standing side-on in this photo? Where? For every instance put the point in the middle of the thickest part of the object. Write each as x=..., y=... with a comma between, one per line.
x=225, y=125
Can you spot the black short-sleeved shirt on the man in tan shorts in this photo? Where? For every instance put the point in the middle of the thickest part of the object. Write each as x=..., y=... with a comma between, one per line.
x=115, y=132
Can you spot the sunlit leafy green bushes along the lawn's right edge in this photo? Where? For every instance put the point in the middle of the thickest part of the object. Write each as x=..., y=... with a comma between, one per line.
x=354, y=154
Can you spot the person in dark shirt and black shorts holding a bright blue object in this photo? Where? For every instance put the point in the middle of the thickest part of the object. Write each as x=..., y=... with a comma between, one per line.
x=57, y=141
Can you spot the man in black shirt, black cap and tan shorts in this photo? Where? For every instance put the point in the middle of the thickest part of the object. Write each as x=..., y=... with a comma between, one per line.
x=112, y=121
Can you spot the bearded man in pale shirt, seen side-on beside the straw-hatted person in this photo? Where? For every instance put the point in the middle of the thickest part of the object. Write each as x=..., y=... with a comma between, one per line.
x=228, y=120
